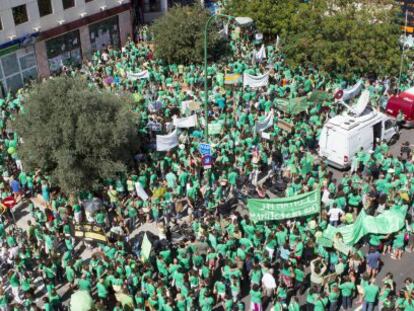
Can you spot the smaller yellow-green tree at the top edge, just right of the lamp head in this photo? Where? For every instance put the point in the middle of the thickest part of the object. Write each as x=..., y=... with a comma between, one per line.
x=271, y=17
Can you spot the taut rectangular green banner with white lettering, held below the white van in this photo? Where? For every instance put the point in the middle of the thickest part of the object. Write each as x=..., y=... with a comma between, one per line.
x=285, y=208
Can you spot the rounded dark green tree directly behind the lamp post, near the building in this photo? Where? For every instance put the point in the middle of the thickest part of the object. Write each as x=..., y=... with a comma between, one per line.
x=179, y=35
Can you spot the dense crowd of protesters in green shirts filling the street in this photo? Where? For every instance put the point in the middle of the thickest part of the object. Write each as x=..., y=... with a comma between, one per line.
x=207, y=252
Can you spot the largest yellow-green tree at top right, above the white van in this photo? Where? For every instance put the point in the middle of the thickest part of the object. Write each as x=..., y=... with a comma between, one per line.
x=345, y=36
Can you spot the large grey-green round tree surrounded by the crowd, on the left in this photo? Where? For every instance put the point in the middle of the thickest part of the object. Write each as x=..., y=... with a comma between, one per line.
x=75, y=133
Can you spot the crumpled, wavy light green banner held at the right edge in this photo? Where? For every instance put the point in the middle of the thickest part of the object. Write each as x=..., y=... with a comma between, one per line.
x=388, y=222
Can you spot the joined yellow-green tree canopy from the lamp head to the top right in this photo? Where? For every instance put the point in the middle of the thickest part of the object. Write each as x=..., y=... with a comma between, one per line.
x=343, y=36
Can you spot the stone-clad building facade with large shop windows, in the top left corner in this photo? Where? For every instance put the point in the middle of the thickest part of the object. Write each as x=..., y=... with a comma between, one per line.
x=39, y=37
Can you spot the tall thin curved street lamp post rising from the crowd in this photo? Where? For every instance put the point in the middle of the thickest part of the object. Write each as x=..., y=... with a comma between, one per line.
x=240, y=21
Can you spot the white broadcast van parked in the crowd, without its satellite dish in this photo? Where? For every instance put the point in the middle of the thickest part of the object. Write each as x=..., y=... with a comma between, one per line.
x=344, y=135
